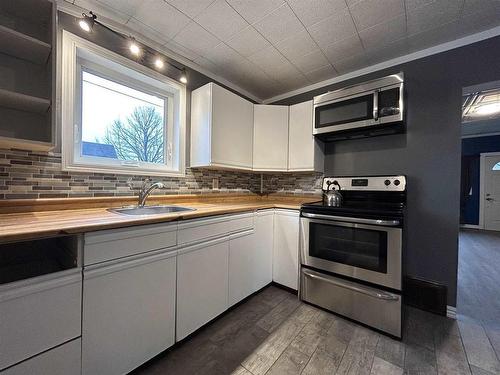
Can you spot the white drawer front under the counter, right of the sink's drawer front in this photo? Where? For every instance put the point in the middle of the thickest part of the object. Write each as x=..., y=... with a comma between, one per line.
x=194, y=231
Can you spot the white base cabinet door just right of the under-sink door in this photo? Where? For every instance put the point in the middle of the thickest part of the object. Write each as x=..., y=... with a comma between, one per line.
x=202, y=284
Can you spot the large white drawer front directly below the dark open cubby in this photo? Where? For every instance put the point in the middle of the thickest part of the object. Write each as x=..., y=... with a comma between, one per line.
x=39, y=316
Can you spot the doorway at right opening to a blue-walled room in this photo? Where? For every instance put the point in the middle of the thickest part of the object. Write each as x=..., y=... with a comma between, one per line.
x=478, y=284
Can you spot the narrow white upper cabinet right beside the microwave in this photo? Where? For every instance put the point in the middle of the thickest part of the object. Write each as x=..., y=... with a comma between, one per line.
x=305, y=153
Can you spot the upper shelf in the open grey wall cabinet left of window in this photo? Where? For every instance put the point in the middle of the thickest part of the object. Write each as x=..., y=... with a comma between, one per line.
x=23, y=46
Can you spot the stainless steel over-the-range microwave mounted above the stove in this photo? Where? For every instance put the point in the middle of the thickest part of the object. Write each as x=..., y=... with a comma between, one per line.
x=360, y=109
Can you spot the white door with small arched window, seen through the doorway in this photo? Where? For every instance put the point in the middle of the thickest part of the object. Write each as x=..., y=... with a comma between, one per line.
x=492, y=192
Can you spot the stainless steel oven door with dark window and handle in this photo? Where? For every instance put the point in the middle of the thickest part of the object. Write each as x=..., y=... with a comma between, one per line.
x=363, y=251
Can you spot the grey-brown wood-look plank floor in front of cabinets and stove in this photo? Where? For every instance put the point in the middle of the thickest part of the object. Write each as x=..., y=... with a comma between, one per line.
x=273, y=333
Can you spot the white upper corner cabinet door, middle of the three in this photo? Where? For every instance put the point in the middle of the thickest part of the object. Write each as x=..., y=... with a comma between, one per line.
x=270, y=148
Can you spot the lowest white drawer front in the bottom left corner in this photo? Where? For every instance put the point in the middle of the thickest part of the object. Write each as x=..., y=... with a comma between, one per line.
x=63, y=360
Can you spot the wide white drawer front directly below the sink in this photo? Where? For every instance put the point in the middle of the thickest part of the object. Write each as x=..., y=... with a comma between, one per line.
x=118, y=243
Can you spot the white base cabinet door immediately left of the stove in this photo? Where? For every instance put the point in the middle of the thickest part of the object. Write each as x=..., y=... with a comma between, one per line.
x=286, y=248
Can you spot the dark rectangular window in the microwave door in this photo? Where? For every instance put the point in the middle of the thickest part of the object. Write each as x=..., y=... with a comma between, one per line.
x=351, y=110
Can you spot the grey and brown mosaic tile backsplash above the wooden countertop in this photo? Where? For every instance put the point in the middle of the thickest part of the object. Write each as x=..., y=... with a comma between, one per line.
x=28, y=175
